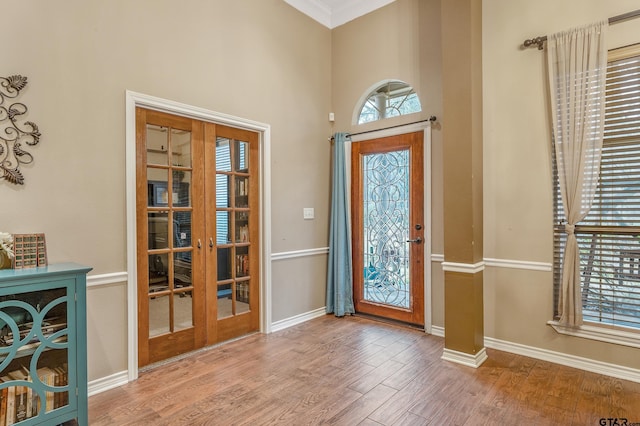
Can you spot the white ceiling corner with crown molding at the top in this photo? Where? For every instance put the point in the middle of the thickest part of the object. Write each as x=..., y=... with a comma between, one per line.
x=333, y=13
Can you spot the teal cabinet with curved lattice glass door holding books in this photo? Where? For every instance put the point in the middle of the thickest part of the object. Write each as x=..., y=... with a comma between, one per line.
x=43, y=345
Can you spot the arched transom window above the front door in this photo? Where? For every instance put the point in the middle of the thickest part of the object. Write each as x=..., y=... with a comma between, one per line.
x=390, y=99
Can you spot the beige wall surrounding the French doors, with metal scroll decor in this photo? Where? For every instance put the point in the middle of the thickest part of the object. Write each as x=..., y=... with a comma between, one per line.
x=257, y=59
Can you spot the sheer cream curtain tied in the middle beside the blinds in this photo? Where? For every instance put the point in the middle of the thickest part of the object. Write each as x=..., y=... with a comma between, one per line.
x=577, y=63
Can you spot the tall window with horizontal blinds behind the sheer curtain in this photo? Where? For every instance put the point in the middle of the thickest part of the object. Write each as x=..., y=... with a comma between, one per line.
x=609, y=237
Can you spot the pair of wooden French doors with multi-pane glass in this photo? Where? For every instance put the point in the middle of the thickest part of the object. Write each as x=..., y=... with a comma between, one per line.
x=197, y=234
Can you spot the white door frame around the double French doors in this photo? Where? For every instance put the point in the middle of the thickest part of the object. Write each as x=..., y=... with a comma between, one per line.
x=133, y=100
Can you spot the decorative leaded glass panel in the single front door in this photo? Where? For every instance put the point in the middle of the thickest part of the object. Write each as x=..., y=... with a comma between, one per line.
x=386, y=228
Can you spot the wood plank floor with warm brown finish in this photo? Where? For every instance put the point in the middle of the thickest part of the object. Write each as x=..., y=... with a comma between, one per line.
x=355, y=371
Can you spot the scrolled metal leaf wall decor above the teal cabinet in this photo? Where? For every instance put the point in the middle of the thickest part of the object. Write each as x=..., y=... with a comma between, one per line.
x=13, y=134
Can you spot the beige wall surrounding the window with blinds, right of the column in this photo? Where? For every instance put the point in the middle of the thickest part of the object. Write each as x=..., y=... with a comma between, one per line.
x=517, y=168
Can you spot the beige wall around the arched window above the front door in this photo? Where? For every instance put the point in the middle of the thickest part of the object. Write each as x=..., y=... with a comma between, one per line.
x=400, y=41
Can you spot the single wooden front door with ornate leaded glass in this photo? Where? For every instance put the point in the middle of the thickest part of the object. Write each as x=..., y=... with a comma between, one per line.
x=388, y=227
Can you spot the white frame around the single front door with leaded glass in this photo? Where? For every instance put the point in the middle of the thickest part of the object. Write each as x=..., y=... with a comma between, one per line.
x=425, y=127
